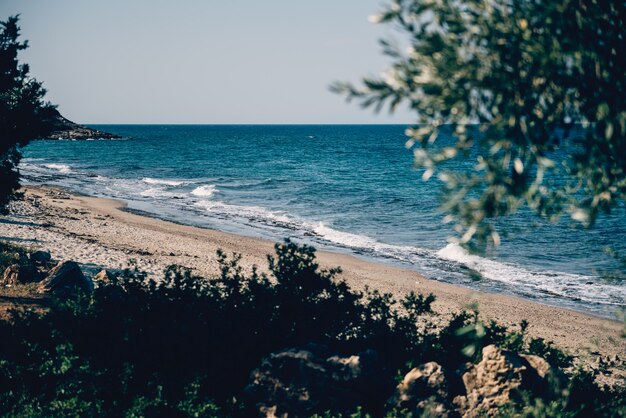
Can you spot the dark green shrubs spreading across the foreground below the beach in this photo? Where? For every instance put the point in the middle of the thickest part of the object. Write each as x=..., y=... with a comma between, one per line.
x=186, y=345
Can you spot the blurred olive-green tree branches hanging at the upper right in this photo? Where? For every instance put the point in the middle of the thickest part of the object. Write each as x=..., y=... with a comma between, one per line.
x=543, y=81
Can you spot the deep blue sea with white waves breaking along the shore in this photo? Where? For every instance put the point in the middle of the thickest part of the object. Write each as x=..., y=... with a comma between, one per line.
x=348, y=188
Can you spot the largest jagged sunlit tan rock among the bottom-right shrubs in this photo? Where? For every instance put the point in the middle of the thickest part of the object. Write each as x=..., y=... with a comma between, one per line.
x=501, y=377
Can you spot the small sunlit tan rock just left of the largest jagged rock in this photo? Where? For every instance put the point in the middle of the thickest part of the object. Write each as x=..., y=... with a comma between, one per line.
x=425, y=392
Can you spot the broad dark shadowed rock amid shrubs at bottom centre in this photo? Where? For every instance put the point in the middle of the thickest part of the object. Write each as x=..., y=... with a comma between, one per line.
x=304, y=381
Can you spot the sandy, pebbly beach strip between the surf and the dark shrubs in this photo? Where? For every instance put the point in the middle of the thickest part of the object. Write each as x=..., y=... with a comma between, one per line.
x=99, y=232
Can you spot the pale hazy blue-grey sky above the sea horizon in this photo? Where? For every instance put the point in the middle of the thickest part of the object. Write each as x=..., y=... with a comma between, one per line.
x=194, y=61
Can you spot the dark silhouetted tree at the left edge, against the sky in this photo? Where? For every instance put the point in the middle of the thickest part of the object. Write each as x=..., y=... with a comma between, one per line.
x=23, y=113
